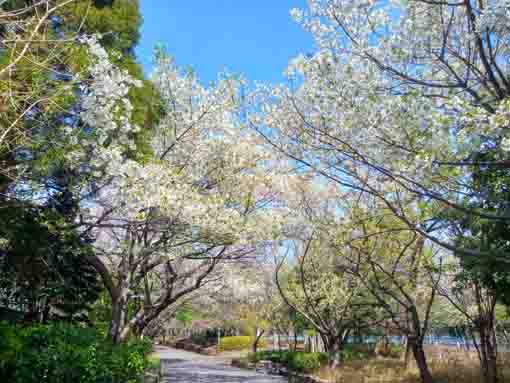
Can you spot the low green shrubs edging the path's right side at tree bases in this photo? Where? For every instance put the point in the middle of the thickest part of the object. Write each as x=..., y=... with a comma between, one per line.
x=294, y=360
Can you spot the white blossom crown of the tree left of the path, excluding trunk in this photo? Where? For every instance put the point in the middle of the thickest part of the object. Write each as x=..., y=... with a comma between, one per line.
x=207, y=172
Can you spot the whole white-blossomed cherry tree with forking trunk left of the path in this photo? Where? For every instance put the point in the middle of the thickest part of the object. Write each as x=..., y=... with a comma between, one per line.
x=202, y=198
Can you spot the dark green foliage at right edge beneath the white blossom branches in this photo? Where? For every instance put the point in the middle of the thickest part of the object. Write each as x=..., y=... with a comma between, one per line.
x=492, y=195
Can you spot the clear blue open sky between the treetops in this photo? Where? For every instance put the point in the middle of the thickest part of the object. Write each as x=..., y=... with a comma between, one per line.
x=253, y=37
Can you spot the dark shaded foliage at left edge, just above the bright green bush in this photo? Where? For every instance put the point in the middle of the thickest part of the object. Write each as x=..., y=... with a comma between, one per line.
x=44, y=263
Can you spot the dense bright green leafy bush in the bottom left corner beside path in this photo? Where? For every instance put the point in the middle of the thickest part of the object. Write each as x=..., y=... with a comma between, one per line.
x=67, y=354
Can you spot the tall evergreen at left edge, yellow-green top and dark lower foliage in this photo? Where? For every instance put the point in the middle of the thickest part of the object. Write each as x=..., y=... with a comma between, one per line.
x=42, y=256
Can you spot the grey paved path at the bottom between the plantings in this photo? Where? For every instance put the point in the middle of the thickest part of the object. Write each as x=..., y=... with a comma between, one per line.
x=180, y=366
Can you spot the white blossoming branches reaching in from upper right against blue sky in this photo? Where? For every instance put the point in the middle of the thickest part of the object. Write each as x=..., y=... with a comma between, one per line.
x=401, y=97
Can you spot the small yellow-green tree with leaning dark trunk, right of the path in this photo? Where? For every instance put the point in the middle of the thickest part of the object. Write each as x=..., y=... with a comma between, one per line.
x=398, y=269
